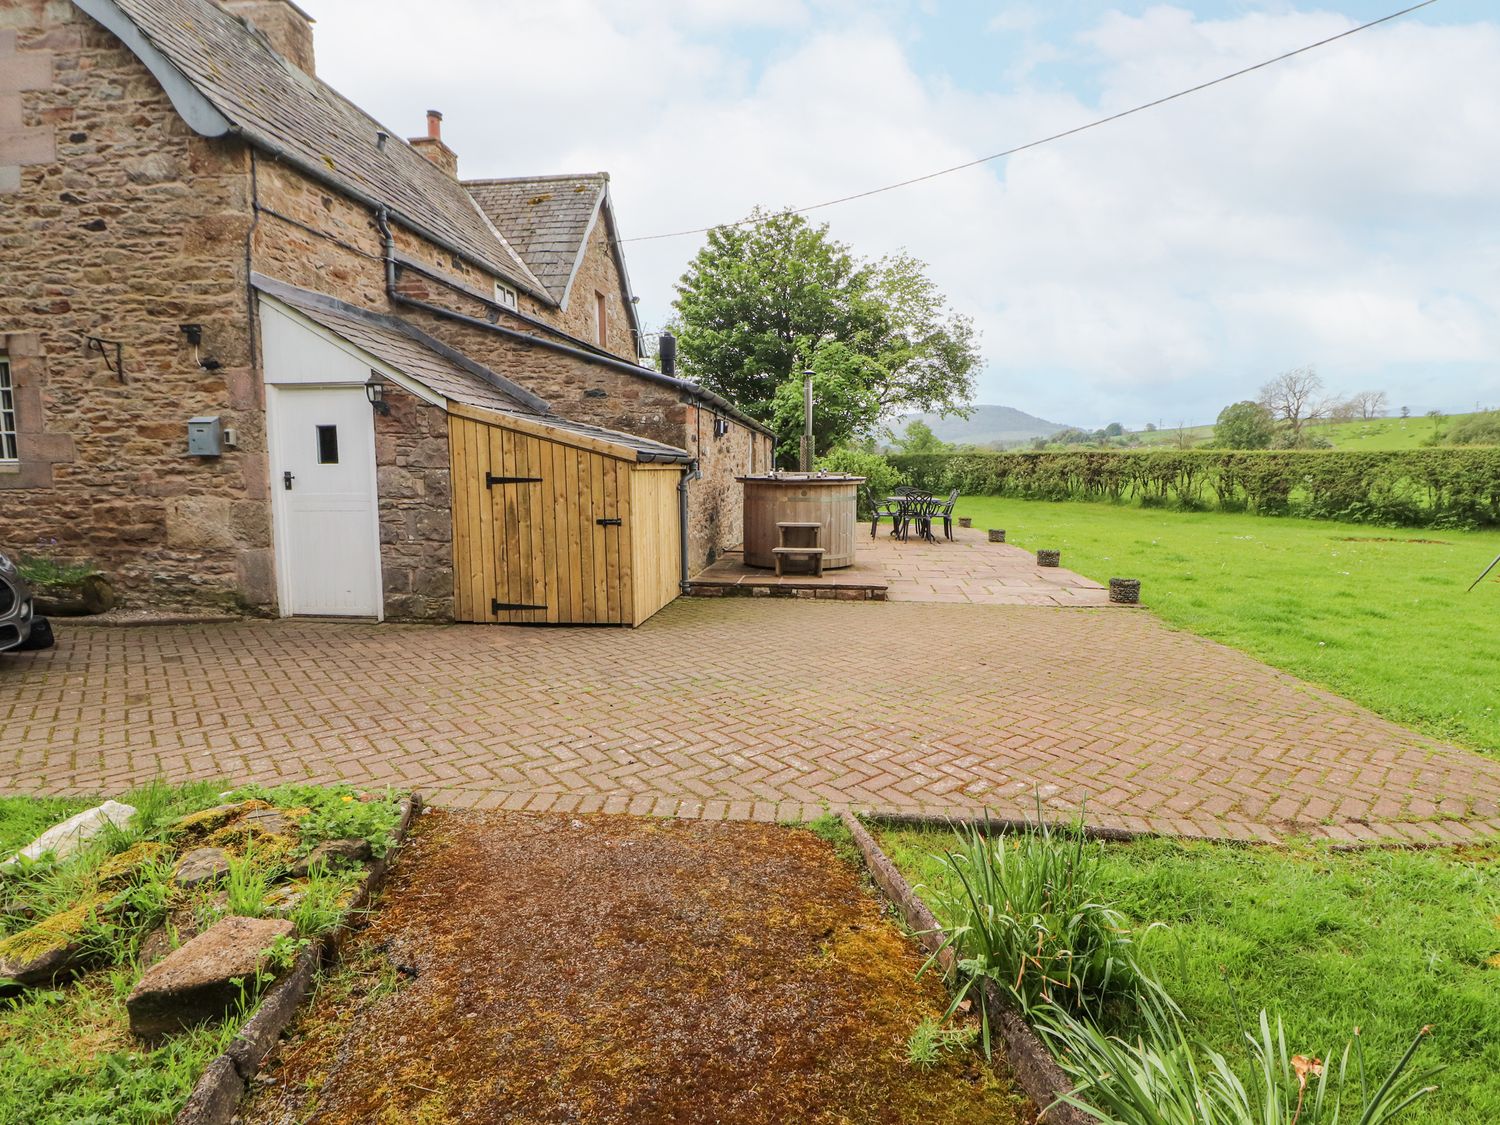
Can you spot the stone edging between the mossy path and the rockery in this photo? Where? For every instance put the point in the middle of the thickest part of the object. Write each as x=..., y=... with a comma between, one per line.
x=217, y=1097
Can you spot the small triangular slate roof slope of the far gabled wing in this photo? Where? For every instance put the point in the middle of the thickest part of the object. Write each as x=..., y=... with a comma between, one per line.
x=545, y=218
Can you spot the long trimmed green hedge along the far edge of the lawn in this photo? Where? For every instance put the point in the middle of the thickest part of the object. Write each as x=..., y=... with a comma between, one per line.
x=1417, y=488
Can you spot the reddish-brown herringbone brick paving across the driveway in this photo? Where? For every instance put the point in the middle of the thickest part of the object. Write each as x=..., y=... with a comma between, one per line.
x=748, y=710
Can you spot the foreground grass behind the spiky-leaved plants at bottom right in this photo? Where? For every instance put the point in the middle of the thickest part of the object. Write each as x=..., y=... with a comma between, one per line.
x=1387, y=941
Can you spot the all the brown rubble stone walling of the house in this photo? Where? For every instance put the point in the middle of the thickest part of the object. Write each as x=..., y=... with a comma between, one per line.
x=119, y=223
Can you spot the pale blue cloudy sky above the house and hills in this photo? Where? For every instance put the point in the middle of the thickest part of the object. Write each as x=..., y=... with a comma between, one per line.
x=1339, y=211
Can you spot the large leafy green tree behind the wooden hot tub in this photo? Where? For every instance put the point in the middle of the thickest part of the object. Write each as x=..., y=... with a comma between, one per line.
x=764, y=301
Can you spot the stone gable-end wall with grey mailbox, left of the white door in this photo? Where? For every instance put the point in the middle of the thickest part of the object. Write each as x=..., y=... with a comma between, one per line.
x=118, y=223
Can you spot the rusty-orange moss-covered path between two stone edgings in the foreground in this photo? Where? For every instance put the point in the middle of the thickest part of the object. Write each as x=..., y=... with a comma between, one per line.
x=619, y=970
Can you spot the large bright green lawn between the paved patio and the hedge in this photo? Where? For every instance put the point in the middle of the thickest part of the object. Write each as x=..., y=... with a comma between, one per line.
x=1378, y=616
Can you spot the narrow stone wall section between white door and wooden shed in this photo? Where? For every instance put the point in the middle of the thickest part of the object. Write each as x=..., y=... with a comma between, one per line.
x=416, y=514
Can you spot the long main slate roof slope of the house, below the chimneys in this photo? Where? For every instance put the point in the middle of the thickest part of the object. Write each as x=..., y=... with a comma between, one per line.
x=275, y=106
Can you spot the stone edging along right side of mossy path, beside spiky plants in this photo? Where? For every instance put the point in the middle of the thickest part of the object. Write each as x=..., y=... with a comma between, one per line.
x=1031, y=1063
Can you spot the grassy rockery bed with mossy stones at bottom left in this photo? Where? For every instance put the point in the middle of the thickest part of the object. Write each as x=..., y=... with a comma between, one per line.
x=65, y=1051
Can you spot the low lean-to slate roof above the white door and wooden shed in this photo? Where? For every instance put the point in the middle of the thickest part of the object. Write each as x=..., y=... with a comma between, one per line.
x=443, y=370
